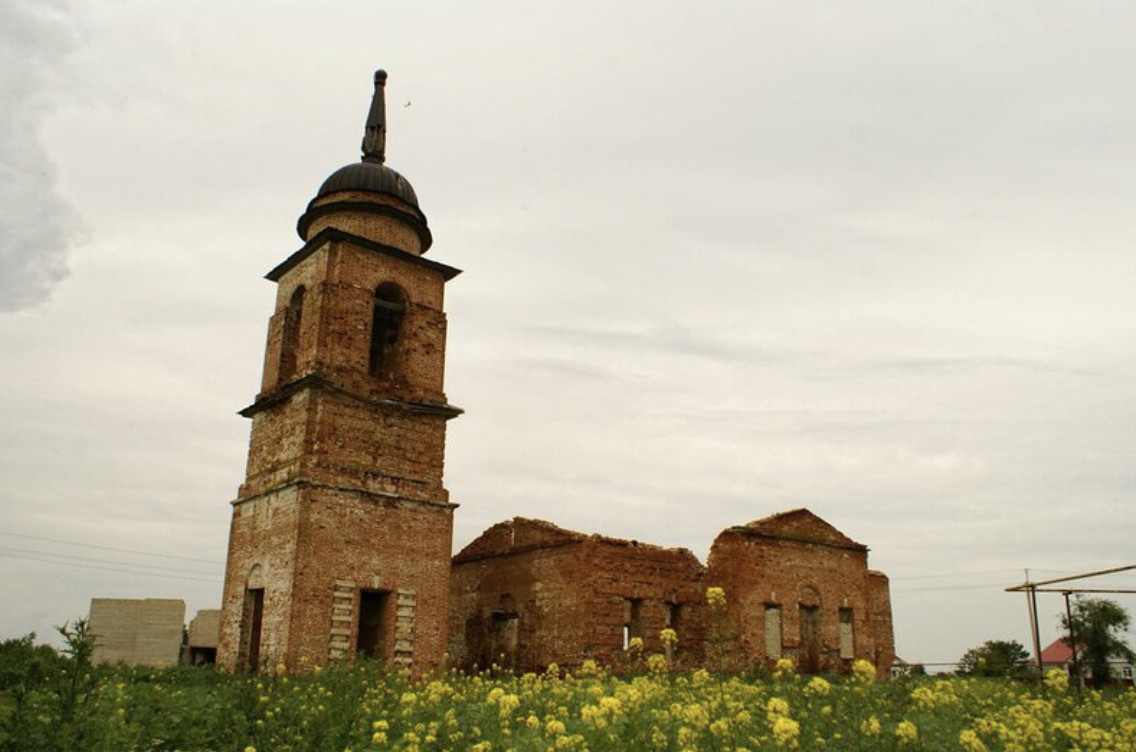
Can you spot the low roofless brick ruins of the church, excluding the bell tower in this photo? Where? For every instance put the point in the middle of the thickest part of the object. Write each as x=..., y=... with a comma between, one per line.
x=528, y=594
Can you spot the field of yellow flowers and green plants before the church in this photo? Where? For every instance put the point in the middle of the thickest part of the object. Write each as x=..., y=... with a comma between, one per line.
x=364, y=709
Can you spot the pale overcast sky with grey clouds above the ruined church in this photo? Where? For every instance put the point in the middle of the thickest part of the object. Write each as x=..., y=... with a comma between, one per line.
x=723, y=260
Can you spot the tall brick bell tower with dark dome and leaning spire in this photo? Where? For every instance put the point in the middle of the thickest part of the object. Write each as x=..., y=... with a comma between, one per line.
x=340, y=541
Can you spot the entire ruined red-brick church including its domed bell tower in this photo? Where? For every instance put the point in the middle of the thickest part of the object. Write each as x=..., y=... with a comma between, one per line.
x=341, y=537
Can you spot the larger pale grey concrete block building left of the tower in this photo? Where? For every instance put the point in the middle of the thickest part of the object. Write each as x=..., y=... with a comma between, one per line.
x=138, y=632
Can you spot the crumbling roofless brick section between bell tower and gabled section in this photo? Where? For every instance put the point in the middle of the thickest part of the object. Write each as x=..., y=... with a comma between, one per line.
x=528, y=594
